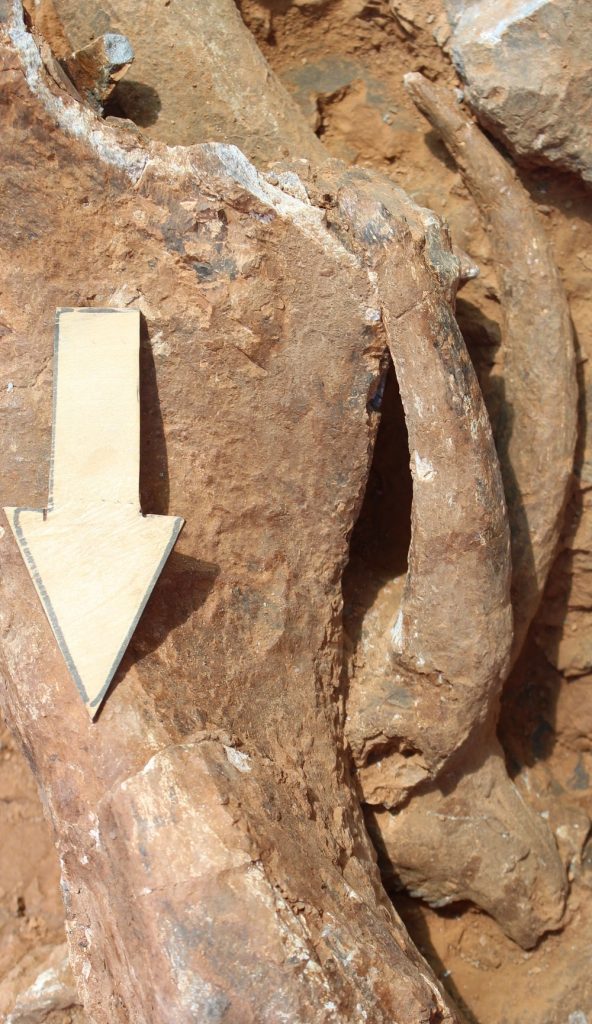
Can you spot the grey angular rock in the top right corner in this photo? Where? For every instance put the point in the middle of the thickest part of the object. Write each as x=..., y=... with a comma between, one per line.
x=527, y=69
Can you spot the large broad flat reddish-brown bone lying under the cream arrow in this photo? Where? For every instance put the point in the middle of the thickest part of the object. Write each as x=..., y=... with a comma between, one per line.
x=215, y=859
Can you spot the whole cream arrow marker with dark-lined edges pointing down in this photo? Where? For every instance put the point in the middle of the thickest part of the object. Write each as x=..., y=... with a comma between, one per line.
x=94, y=558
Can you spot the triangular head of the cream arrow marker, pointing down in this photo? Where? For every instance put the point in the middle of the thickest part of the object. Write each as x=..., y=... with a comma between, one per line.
x=95, y=570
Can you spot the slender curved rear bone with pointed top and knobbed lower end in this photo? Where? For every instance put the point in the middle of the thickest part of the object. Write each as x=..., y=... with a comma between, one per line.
x=501, y=856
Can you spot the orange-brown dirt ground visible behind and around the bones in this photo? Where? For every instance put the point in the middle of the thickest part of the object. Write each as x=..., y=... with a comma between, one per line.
x=344, y=62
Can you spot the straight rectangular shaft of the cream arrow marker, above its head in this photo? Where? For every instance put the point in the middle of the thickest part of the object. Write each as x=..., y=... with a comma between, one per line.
x=96, y=441
